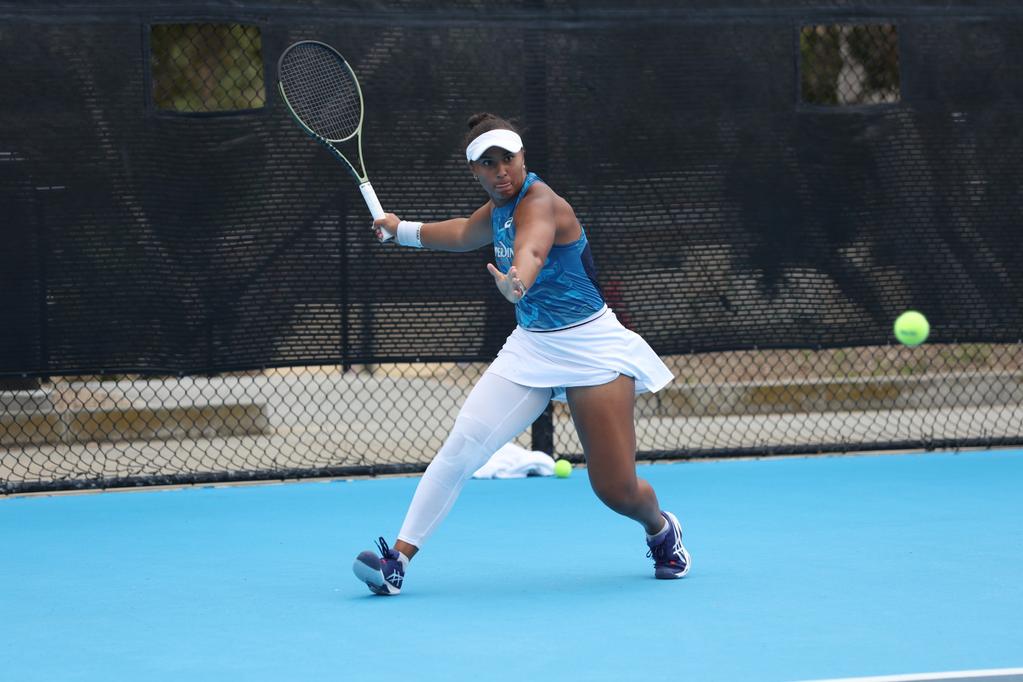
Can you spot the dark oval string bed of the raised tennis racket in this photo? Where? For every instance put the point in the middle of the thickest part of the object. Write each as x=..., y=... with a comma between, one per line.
x=323, y=92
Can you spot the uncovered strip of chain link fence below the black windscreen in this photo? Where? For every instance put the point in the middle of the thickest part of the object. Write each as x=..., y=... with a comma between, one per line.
x=328, y=421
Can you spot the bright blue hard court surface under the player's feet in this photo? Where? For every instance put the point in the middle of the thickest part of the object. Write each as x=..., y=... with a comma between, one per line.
x=804, y=569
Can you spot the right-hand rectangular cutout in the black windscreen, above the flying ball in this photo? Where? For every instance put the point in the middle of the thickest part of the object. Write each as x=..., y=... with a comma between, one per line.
x=850, y=65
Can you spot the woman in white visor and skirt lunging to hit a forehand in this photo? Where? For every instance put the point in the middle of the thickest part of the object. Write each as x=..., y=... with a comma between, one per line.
x=568, y=345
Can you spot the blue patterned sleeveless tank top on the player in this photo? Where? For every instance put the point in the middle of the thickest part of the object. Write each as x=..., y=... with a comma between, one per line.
x=566, y=290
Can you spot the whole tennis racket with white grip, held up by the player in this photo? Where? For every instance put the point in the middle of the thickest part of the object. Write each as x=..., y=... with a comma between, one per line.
x=323, y=95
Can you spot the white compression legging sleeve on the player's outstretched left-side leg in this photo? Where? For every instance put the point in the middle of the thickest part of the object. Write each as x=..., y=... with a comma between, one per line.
x=496, y=412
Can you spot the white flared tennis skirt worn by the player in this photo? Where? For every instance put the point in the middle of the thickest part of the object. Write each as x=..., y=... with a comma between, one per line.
x=591, y=354
